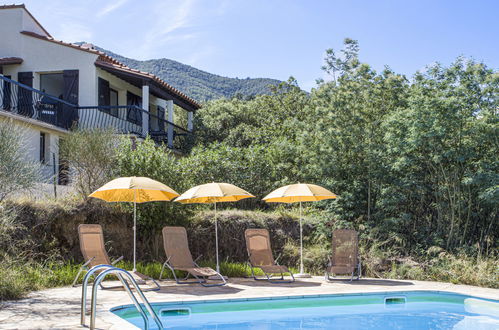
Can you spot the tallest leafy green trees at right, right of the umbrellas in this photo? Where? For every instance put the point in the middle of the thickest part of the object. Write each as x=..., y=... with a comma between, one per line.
x=415, y=162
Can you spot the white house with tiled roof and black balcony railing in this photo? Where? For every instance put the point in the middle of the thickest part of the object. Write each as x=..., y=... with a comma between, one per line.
x=54, y=86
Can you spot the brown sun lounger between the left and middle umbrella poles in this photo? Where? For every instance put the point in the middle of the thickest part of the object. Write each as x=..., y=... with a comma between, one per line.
x=179, y=258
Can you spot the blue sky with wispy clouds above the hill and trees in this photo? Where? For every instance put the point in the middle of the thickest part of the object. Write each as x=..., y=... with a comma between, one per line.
x=279, y=38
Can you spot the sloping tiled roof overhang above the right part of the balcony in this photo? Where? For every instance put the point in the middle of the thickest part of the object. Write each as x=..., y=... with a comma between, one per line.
x=156, y=87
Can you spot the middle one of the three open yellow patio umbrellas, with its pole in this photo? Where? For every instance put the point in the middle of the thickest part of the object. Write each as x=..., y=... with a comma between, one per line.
x=214, y=193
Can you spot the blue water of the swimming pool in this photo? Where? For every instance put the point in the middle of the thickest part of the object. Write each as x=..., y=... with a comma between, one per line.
x=401, y=310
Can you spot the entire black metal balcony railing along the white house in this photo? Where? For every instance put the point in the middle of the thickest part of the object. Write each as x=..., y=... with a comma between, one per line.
x=28, y=102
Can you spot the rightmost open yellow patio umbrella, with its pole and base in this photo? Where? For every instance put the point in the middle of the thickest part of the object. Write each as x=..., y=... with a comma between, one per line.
x=300, y=192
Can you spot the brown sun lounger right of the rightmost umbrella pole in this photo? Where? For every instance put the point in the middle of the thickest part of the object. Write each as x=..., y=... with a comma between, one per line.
x=345, y=258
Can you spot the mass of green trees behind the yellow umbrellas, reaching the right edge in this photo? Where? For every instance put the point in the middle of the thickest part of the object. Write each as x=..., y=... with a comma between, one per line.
x=414, y=161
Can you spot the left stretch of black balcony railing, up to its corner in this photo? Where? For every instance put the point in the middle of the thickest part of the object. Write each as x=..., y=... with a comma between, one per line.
x=25, y=101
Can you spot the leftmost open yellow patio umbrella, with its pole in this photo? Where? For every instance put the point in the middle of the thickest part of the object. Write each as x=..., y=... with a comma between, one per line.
x=136, y=190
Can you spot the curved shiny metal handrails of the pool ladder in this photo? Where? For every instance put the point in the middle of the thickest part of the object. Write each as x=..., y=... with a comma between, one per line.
x=106, y=270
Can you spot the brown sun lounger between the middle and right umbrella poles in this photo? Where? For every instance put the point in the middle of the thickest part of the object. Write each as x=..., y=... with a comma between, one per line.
x=260, y=256
